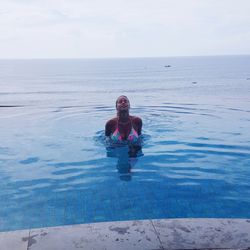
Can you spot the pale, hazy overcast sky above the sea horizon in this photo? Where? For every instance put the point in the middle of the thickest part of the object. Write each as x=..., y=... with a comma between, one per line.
x=123, y=28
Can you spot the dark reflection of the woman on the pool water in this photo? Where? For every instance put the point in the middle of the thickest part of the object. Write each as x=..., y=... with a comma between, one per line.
x=127, y=158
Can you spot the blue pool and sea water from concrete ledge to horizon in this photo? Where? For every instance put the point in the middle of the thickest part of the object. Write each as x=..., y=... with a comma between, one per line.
x=54, y=165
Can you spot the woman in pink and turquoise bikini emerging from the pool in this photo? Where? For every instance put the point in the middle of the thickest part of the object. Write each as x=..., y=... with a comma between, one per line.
x=123, y=127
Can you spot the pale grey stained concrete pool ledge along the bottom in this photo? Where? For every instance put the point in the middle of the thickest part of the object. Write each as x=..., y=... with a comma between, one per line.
x=130, y=235
